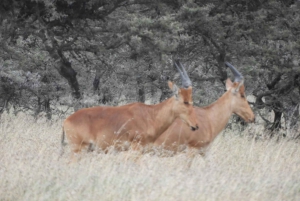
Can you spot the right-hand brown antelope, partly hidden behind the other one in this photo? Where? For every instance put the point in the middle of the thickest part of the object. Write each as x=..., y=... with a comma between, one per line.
x=211, y=119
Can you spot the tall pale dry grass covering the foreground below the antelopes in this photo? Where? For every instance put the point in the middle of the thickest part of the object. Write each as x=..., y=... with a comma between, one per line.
x=237, y=167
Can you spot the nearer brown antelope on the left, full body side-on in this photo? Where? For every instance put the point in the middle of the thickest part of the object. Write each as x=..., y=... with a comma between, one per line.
x=135, y=123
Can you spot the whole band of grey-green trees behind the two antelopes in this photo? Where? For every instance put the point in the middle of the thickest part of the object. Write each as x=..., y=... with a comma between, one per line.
x=84, y=53
